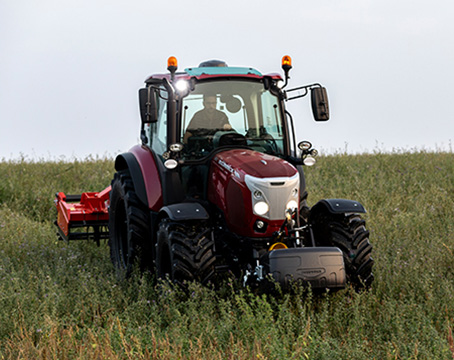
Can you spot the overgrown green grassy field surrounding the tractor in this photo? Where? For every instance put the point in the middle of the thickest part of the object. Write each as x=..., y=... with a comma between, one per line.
x=62, y=301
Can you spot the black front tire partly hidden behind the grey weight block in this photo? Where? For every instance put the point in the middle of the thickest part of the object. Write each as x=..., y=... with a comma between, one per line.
x=349, y=234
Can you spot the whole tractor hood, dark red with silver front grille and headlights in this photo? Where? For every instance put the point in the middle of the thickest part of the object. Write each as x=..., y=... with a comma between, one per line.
x=249, y=186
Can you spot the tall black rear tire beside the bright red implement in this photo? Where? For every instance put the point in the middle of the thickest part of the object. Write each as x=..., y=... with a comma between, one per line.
x=129, y=226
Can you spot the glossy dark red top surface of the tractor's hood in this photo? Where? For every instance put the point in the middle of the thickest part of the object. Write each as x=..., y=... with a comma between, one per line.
x=241, y=162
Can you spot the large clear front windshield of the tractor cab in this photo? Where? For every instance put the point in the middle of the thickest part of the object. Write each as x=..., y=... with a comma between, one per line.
x=230, y=113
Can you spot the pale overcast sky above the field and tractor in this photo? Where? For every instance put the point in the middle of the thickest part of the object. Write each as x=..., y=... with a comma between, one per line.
x=70, y=70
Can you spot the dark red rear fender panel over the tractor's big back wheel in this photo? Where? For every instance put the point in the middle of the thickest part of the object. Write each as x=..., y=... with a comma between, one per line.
x=150, y=176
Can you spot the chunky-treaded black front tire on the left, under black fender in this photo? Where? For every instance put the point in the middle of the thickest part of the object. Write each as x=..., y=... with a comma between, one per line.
x=185, y=253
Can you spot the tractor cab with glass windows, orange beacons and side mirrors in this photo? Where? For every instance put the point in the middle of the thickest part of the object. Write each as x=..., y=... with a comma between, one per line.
x=188, y=117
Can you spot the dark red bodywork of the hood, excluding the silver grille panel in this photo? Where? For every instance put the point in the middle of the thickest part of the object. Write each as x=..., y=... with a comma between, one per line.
x=228, y=191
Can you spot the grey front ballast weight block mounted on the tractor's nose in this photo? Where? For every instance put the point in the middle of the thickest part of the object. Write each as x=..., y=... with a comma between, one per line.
x=321, y=267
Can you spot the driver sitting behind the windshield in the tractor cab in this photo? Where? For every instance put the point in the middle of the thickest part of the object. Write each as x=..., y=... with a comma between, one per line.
x=208, y=120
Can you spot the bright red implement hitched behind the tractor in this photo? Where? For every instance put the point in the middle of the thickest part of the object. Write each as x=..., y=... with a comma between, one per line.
x=87, y=214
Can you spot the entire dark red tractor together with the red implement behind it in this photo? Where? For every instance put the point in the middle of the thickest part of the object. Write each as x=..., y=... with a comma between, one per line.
x=217, y=186
